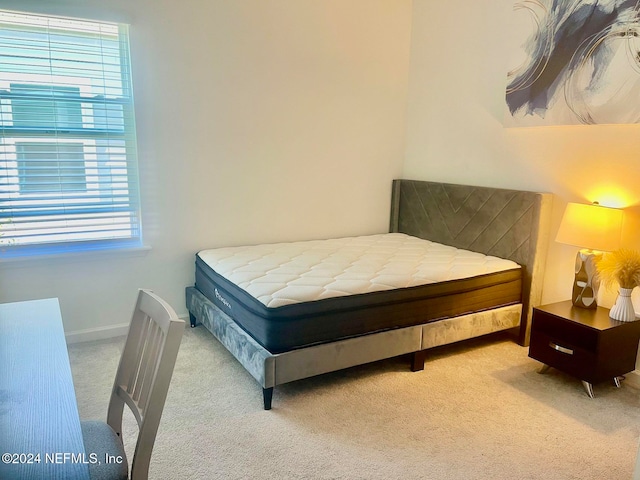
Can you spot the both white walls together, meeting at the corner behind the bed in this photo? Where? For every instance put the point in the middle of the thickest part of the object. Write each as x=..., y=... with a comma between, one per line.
x=285, y=119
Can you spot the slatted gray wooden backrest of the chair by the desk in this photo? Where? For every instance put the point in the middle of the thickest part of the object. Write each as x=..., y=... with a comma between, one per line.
x=144, y=374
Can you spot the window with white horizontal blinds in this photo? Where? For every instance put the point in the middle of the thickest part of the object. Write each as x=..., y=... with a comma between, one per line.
x=68, y=164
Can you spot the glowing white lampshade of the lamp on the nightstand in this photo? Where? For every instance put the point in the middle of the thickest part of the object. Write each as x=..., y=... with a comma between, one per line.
x=591, y=226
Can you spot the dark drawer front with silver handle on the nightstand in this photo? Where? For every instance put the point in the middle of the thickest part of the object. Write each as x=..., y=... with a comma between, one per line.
x=563, y=355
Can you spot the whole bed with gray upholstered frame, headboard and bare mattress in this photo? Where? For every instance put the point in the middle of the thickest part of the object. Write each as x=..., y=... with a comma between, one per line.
x=458, y=262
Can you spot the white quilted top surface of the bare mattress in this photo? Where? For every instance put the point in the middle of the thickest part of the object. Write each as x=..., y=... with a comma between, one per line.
x=289, y=273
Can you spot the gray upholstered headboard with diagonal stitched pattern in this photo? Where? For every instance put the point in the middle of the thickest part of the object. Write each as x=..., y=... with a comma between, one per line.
x=504, y=223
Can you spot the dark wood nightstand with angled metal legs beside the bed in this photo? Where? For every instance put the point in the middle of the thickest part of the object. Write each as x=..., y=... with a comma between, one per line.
x=582, y=342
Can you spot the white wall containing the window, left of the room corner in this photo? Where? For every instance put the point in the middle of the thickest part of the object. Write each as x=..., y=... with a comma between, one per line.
x=257, y=121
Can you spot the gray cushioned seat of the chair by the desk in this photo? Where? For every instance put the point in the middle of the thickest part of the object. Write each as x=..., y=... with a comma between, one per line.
x=101, y=440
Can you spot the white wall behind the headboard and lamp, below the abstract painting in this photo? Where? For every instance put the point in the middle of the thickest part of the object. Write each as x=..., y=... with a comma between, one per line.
x=455, y=128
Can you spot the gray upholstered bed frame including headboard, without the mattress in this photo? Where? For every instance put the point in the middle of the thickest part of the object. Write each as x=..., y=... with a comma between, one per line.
x=505, y=223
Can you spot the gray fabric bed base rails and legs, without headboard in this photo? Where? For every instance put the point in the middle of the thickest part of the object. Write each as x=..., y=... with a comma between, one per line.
x=271, y=370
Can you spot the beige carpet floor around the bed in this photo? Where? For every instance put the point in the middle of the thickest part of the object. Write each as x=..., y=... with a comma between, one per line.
x=479, y=410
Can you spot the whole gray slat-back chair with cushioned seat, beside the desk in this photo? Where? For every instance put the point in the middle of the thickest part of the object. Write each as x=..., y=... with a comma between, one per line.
x=142, y=381
